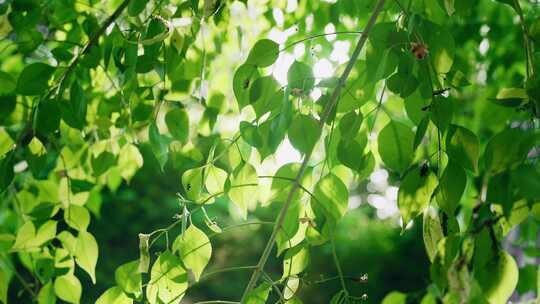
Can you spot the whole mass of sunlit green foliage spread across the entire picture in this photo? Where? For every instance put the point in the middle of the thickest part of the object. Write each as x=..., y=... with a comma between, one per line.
x=88, y=99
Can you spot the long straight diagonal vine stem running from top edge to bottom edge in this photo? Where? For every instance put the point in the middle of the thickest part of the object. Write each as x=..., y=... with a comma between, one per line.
x=326, y=113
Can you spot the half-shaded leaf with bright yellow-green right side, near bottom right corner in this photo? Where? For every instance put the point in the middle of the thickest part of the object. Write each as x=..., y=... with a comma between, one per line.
x=498, y=277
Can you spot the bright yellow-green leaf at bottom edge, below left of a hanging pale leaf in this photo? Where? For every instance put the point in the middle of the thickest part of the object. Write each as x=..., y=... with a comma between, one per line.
x=168, y=280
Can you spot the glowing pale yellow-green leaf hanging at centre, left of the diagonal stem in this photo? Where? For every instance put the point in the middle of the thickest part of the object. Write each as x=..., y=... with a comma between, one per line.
x=243, y=187
